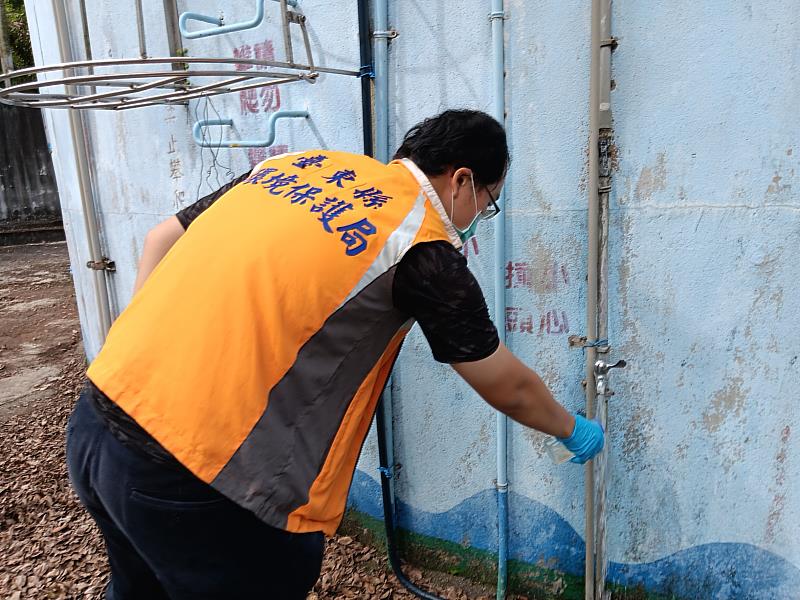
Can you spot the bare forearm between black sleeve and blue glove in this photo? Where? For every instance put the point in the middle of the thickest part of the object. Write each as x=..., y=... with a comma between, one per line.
x=514, y=389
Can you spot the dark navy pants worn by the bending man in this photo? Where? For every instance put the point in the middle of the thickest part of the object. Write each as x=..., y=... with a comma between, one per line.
x=170, y=535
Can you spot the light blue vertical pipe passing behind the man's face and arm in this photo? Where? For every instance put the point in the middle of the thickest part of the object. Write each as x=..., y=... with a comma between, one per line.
x=497, y=17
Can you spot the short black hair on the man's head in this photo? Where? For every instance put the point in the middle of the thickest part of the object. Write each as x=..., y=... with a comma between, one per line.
x=455, y=139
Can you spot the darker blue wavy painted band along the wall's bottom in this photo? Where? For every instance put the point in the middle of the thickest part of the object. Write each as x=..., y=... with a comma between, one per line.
x=718, y=571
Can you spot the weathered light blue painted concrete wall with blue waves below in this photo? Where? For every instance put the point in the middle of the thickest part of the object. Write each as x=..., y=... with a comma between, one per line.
x=704, y=487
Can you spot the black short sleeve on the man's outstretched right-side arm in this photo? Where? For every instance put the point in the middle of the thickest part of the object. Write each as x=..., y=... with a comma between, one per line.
x=434, y=285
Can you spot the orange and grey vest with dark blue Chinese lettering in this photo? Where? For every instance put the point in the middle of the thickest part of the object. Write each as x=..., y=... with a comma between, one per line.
x=257, y=349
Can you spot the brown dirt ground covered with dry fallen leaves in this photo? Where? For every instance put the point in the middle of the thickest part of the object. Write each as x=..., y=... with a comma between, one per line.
x=49, y=547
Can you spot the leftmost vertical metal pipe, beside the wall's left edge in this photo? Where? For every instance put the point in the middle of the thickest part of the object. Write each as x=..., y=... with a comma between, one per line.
x=79, y=144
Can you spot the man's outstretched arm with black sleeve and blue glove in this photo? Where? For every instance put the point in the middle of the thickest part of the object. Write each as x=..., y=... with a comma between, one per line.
x=434, y=285
